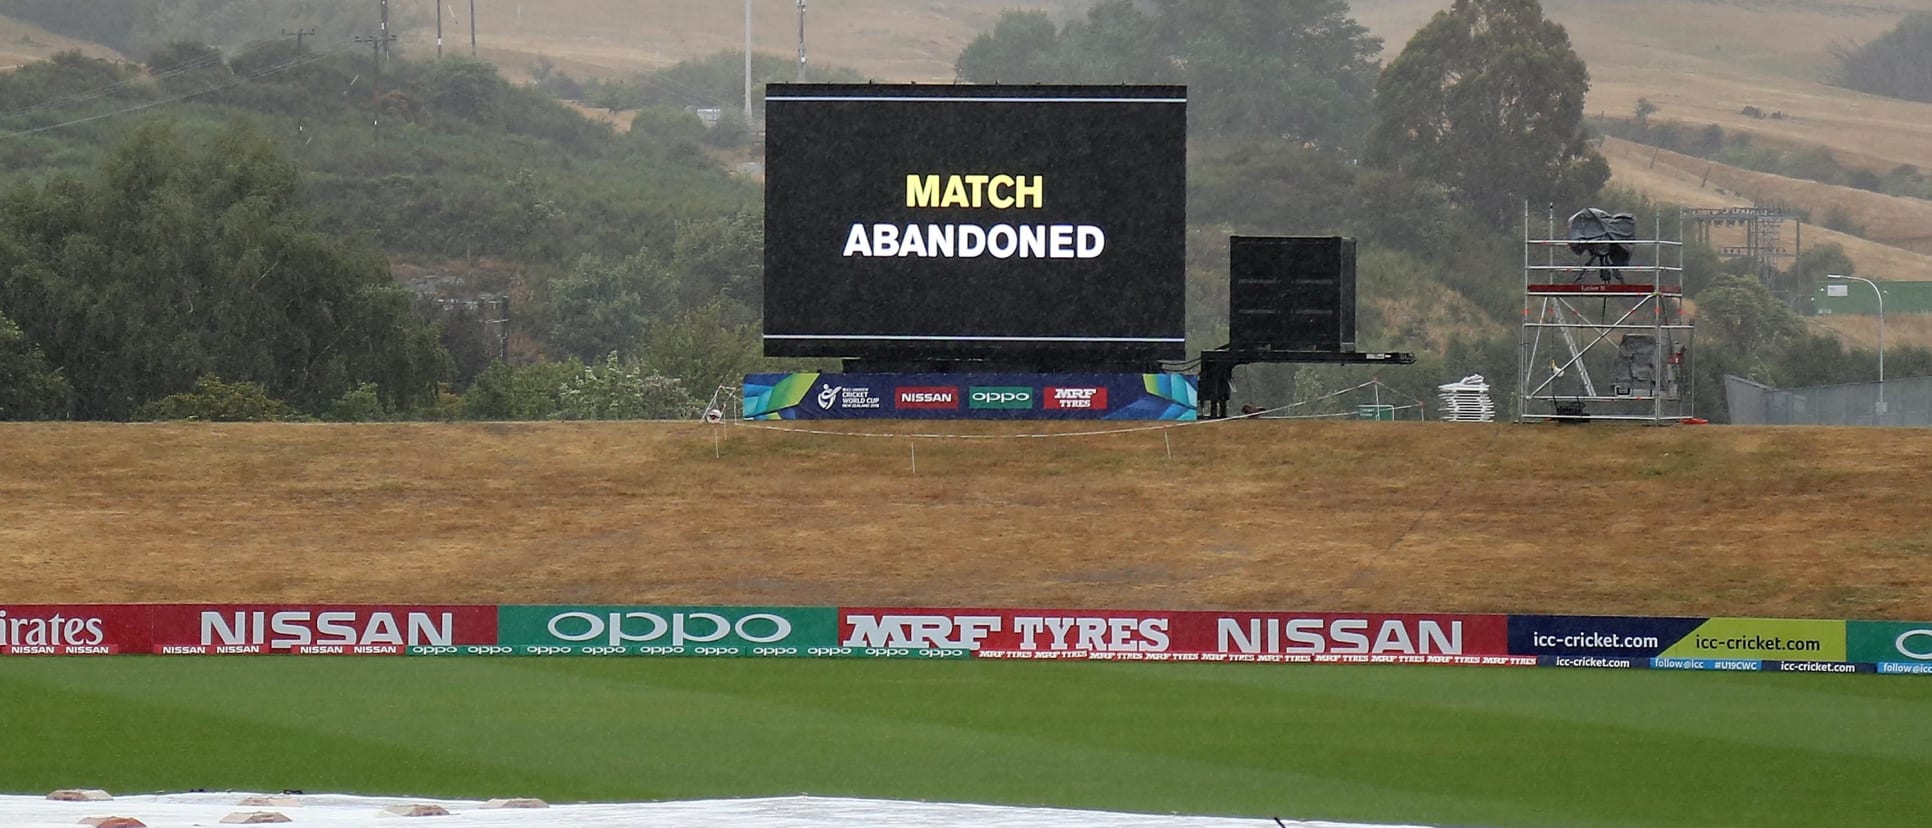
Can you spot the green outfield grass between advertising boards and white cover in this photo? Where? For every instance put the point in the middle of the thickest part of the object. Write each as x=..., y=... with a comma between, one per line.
x=1440, y=746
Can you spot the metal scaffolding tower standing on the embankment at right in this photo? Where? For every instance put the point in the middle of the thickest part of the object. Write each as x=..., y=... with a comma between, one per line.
x=1603, y=343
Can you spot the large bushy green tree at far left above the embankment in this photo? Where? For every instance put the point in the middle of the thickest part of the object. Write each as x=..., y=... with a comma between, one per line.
x=183, y=262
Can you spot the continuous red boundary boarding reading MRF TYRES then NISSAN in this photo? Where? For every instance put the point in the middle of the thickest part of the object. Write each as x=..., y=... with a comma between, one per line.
x=1143, y=636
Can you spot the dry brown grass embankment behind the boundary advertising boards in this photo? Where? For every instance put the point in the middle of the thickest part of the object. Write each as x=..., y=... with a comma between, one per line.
x=1253, y=514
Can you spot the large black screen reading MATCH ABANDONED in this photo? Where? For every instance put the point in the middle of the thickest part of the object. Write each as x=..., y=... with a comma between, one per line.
x=975, y=221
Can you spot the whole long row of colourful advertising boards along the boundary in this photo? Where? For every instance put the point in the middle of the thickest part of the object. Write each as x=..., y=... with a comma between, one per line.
x=1009, y=634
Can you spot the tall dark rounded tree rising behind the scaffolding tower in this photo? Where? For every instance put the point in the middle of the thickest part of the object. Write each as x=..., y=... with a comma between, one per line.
x=1487, y=101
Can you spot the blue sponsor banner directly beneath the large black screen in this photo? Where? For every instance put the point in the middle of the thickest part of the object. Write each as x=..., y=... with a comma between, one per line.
x=971, y=397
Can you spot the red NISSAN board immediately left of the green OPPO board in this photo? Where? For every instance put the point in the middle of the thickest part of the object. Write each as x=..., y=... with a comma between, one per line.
x=318, y=630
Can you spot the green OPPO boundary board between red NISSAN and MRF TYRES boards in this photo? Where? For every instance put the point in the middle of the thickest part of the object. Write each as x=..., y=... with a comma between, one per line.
x=669, y=630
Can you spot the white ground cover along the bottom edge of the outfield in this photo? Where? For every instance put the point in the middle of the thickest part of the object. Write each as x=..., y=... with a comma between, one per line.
x=345, y=812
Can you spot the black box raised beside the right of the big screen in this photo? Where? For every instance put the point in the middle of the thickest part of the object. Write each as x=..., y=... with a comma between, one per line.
x=1292, y=292
